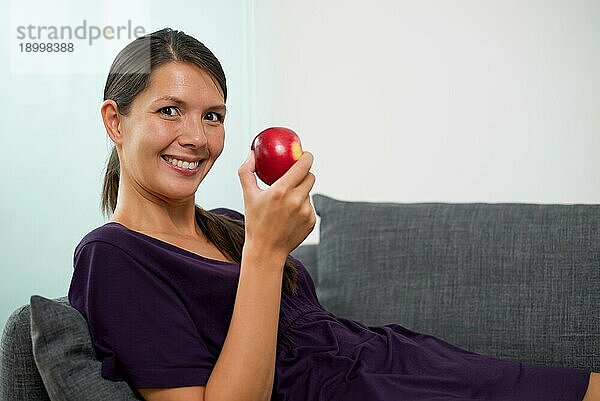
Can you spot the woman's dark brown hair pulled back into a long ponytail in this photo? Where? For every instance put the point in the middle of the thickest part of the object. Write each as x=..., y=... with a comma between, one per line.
x=128, y=76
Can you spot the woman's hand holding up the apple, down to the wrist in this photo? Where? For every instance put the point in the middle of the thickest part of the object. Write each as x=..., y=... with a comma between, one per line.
x=278, y=218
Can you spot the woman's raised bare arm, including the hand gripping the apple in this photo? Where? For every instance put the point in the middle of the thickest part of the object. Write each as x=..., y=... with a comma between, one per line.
x=277, y=220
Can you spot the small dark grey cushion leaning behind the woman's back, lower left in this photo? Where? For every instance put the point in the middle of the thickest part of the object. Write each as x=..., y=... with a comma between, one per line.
x=65, y=357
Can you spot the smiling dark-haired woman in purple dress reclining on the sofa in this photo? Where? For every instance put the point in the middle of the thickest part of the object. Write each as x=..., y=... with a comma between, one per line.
x=189, y=304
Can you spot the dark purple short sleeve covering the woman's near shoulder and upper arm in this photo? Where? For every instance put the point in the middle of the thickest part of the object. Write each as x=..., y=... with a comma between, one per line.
x=139, y=326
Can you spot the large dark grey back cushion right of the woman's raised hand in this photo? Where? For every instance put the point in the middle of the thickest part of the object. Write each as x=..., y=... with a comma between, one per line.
x=515, y=281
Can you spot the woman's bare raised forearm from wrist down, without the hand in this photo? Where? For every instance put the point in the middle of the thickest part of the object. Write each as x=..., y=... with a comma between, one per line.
x=245, y=368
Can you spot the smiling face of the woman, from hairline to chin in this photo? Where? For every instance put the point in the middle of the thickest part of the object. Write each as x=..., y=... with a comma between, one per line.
x=177, y=119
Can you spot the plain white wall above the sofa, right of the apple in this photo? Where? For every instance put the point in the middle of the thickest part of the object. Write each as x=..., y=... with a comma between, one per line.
x=412, y=101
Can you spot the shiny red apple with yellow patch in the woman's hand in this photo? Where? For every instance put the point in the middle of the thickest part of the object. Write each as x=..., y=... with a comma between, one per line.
x=276, y=149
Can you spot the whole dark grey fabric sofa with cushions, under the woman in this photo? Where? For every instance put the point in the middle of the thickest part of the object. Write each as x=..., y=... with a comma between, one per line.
x=515, y=281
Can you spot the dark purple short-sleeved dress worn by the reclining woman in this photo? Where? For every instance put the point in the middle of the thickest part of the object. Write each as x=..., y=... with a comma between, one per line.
x=158, y=317
